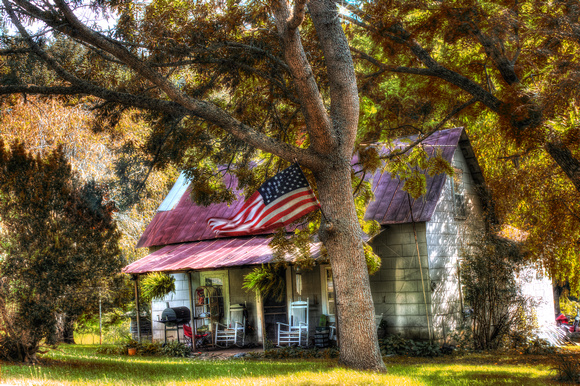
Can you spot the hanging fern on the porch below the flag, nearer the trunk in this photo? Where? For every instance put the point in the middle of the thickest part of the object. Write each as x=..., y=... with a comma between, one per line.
x=268, y=280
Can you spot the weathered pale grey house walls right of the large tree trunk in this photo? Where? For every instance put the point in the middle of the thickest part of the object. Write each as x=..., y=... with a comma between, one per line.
x=399, y=291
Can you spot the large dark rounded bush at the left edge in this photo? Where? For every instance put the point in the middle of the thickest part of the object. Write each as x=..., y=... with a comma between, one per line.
x=60, y=242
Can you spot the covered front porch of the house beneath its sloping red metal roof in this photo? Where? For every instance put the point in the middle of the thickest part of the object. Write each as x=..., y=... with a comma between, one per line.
x=221, y=265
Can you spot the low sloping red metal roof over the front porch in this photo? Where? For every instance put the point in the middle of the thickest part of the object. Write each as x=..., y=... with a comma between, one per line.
x=210, y=254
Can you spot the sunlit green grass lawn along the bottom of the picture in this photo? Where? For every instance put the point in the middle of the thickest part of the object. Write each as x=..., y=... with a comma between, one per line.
x=81, y=365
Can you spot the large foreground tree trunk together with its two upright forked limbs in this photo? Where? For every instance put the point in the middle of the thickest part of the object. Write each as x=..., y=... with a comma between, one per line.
x=332, y=140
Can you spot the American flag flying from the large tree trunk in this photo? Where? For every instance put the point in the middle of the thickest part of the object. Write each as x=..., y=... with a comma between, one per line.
x=281, y=200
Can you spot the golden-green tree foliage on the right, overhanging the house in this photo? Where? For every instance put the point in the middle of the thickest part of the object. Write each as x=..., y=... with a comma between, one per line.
x=516, y=60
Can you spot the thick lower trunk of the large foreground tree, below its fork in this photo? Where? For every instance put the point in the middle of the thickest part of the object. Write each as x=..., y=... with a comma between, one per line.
x=341, y=235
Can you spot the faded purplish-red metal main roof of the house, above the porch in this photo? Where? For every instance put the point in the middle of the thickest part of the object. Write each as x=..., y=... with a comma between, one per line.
x=186, y=222
